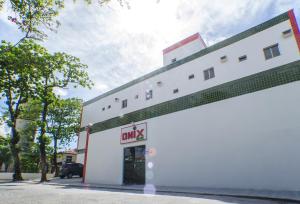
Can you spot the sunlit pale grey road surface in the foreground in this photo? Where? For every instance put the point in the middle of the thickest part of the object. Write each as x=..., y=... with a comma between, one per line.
x=29, y=193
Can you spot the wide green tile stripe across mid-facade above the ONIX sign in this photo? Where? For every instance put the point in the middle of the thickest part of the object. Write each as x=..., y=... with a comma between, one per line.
x=263, y=80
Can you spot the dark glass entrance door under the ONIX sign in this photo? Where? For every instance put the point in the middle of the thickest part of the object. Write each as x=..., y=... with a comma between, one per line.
x=134, y=165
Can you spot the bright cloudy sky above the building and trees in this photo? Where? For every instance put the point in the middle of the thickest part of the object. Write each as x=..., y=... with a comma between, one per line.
x=120, y=44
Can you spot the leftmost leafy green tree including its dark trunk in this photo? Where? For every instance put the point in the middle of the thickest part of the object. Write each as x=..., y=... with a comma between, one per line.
x=17, y=74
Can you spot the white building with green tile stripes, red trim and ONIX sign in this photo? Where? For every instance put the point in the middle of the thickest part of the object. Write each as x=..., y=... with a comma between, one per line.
x=224, y=116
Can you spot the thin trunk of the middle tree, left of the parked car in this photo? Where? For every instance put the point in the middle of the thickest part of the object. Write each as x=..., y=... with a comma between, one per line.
x=42, y=145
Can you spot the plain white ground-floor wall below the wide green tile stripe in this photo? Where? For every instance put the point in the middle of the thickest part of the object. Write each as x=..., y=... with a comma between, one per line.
x=249, y=141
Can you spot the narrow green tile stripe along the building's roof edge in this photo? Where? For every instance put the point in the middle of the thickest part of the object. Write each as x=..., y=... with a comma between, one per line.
x=217, y=46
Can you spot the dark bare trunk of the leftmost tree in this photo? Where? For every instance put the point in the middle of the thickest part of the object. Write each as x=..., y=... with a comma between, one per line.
x=15, y=153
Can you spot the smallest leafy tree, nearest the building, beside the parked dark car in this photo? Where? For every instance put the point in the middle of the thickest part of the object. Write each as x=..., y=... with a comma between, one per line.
x=63, y=123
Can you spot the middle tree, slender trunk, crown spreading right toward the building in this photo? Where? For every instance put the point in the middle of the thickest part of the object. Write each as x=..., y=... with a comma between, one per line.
x=56, y=71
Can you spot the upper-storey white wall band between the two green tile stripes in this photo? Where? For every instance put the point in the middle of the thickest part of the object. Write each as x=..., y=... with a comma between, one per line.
x=178, y=77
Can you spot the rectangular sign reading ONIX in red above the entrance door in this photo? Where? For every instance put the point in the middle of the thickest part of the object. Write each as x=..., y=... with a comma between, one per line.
x=133, y=133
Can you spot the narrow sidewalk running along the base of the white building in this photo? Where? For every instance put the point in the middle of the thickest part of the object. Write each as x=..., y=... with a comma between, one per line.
x=292, y=196
